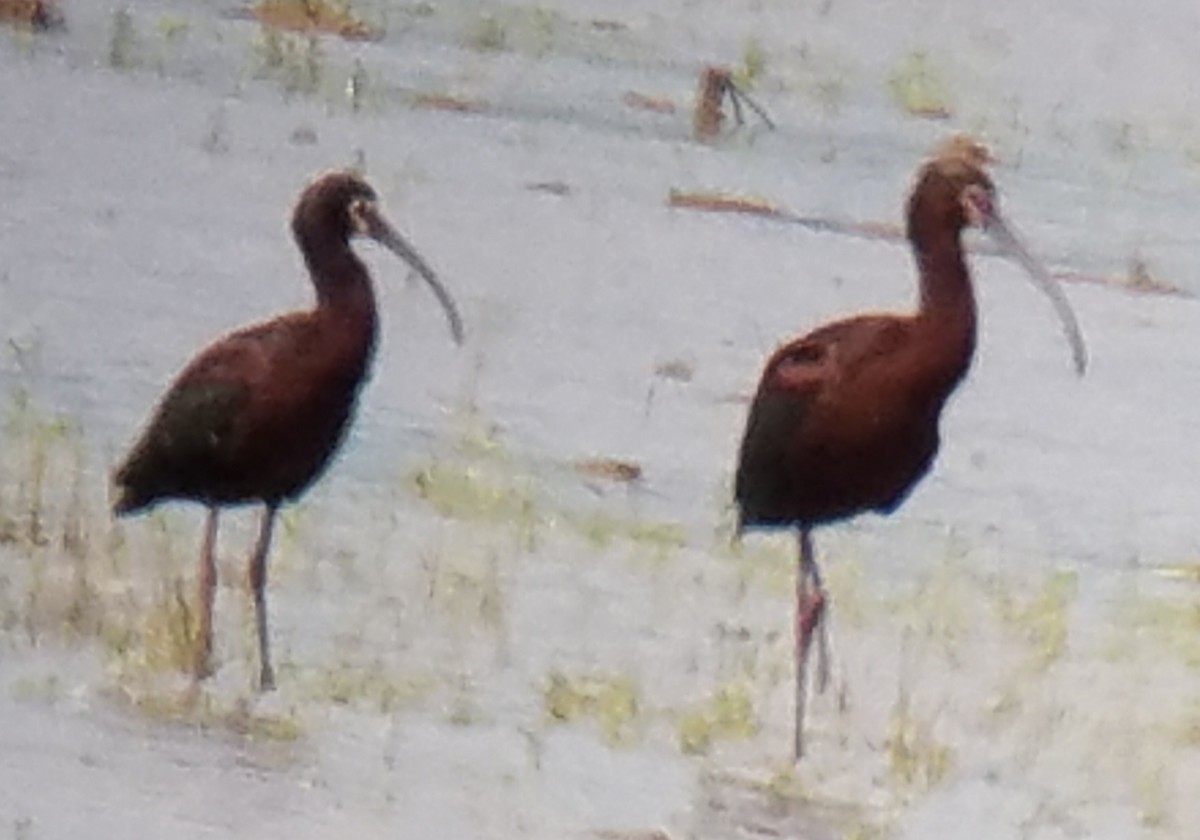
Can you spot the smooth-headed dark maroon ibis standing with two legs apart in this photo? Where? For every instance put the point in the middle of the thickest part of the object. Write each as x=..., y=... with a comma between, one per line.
x=259, y=415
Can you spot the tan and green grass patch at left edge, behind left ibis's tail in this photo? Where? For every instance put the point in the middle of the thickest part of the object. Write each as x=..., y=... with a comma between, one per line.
x=73, y=584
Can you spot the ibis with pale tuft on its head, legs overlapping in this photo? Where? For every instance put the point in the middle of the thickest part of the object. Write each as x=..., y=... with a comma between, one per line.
x=847, y=418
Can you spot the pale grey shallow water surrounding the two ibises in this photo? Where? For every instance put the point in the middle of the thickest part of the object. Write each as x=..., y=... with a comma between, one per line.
x=145, y=213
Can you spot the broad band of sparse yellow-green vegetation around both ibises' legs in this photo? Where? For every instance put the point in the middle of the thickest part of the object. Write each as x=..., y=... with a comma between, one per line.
x=128, y=592
